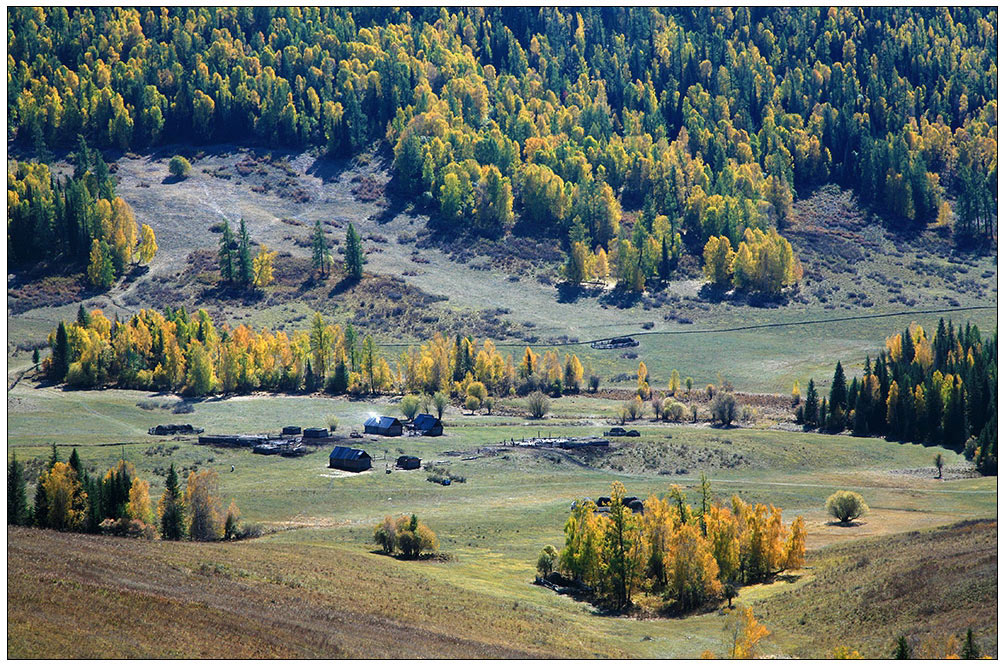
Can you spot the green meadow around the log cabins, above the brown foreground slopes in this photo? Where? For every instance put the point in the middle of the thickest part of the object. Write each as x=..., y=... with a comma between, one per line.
x=514, y=502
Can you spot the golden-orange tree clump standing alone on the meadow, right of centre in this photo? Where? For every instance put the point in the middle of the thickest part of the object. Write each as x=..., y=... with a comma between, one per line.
x=686, y=556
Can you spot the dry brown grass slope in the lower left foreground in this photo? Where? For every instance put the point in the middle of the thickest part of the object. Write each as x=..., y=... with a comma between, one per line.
x=75, y=596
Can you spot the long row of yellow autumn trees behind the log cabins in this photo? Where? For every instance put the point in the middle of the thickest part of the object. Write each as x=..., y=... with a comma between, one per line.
x=176, y=352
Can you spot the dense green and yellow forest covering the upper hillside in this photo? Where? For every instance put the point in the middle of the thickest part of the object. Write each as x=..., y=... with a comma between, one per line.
x=554, y=121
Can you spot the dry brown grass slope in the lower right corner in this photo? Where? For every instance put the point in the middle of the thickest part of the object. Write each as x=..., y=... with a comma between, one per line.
x=922, y=585
